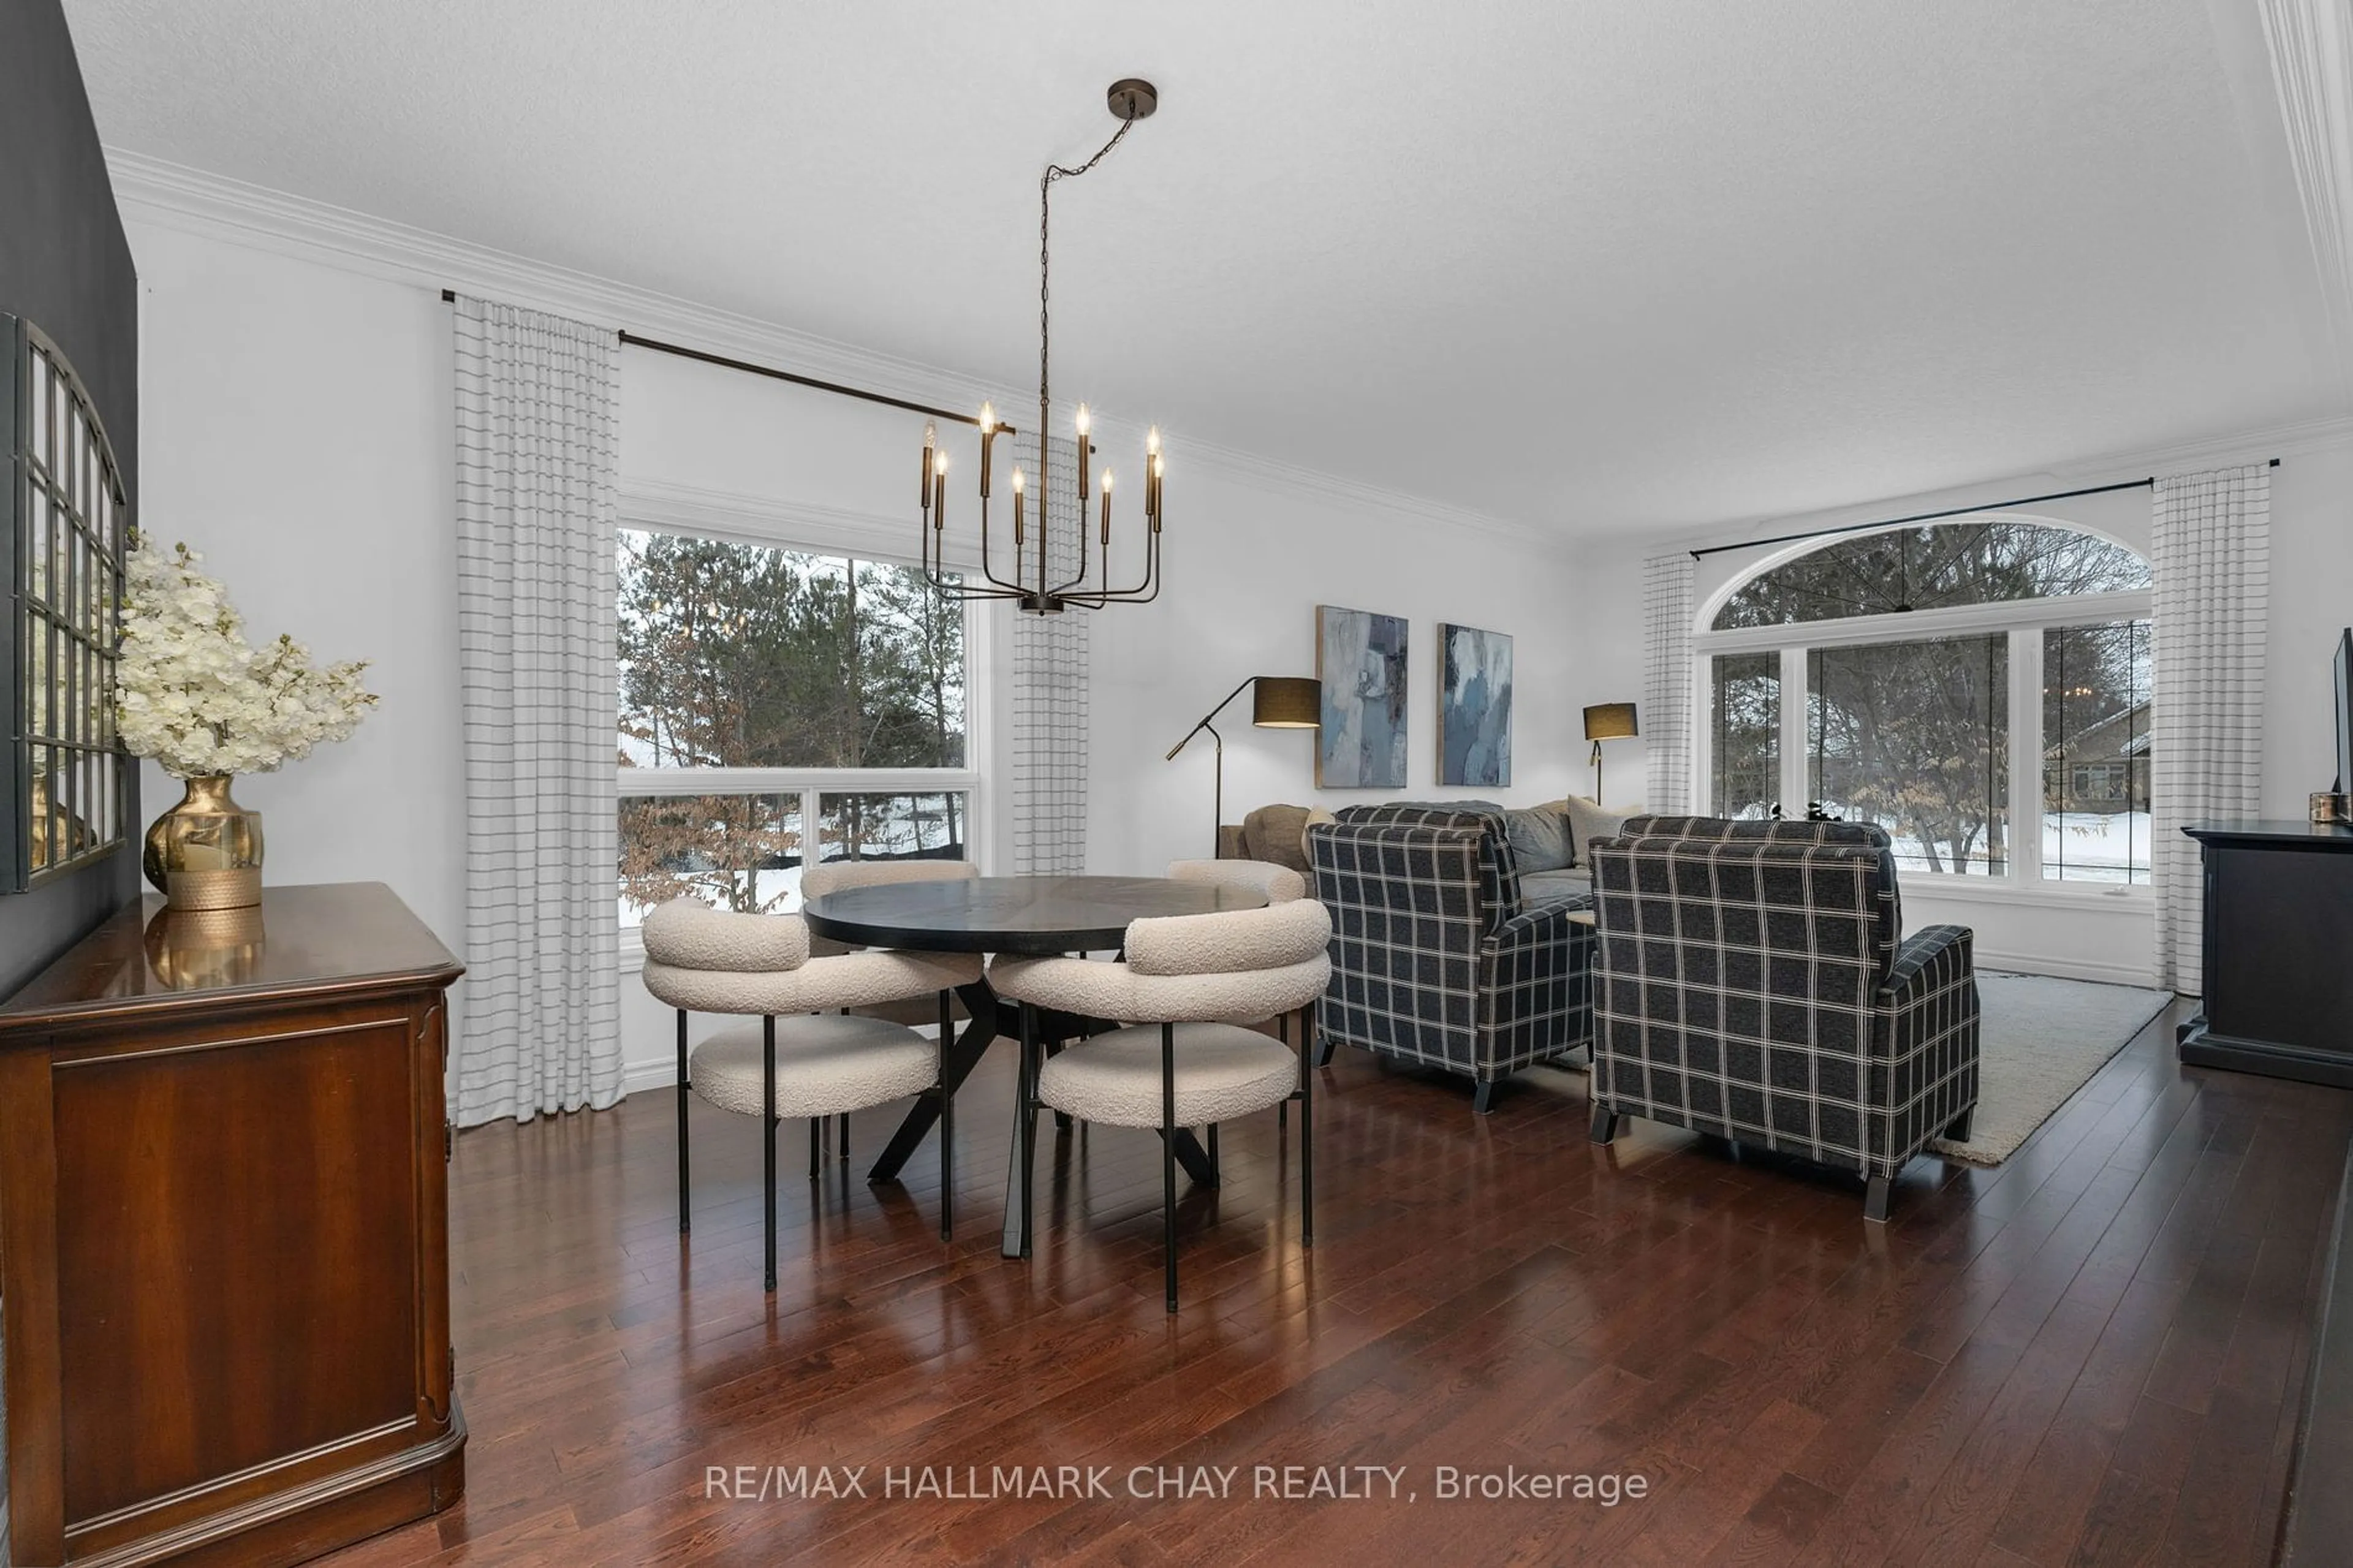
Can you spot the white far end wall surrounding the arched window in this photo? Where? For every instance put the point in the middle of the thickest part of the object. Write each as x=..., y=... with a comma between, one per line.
x=2312, y=602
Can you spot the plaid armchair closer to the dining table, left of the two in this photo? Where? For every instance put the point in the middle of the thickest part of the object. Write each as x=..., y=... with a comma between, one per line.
x=1434, y=959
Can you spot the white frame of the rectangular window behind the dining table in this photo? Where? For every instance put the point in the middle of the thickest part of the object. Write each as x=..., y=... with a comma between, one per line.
x=827, y=538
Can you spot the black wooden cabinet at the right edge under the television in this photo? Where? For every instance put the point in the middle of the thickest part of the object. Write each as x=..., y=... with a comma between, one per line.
x=2279, y=952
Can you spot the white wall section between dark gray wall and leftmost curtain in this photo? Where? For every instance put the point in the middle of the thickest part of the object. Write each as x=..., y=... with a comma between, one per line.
x=300, y=439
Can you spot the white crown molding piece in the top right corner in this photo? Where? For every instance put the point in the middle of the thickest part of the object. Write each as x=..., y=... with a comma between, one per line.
x=2312, y=72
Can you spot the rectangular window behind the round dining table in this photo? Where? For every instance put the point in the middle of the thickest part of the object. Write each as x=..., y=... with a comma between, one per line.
x=782, y=707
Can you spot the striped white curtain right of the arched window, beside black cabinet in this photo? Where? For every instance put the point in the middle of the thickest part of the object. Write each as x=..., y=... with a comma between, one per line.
x=2206, y=731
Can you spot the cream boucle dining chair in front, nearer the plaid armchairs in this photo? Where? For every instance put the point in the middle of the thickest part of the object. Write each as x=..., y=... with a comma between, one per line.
x=1187, y=988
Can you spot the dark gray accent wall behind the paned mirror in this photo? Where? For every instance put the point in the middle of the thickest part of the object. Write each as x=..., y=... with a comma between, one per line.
x=65, y=267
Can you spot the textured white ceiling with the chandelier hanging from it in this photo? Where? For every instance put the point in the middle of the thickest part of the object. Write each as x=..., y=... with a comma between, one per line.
x=1587, y=267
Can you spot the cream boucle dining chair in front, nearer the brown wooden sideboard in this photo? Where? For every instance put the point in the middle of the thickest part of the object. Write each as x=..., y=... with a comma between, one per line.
x=702, y=959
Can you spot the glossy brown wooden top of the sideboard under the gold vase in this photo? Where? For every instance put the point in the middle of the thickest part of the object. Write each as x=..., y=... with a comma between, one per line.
x=331, y=938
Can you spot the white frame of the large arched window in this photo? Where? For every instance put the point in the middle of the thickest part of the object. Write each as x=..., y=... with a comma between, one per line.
x=2022, y=620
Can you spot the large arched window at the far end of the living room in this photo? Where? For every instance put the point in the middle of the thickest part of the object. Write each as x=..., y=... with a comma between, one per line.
x=1978, y=689
